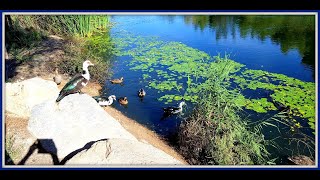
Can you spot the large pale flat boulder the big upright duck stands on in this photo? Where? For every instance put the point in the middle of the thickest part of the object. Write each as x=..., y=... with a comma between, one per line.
x=76, y=120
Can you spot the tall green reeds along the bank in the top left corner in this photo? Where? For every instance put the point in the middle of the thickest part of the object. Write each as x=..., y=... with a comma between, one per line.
x=25, y=31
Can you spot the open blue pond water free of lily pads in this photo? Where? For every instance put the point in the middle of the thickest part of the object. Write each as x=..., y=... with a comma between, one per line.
x=277, y=44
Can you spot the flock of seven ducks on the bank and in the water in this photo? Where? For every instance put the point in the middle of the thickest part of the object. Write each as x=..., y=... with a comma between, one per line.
x=79, y=81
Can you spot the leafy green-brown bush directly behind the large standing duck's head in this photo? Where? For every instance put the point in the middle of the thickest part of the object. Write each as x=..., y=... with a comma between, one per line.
x=81, y=49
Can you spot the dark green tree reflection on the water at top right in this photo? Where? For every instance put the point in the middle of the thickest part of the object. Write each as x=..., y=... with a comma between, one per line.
x=290, y=32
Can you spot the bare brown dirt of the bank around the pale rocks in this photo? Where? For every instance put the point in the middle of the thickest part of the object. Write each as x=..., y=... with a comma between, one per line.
x=40, y=66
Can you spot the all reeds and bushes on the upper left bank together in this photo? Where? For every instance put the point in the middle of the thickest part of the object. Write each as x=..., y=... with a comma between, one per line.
x=86, y=37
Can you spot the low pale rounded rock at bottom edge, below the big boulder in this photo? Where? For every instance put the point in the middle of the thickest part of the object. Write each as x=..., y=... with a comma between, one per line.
x=122, y=152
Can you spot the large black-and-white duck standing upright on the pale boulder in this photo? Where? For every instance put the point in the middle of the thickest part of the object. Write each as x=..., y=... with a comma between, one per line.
x=77, y=82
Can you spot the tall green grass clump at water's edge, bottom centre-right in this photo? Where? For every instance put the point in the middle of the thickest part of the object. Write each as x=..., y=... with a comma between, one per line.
x=215, y=134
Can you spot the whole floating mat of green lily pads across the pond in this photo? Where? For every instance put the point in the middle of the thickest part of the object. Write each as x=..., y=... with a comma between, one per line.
x=183, y=71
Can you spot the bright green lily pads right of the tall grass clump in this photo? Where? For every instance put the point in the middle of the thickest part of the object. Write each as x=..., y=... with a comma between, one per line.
x=291, y=93
